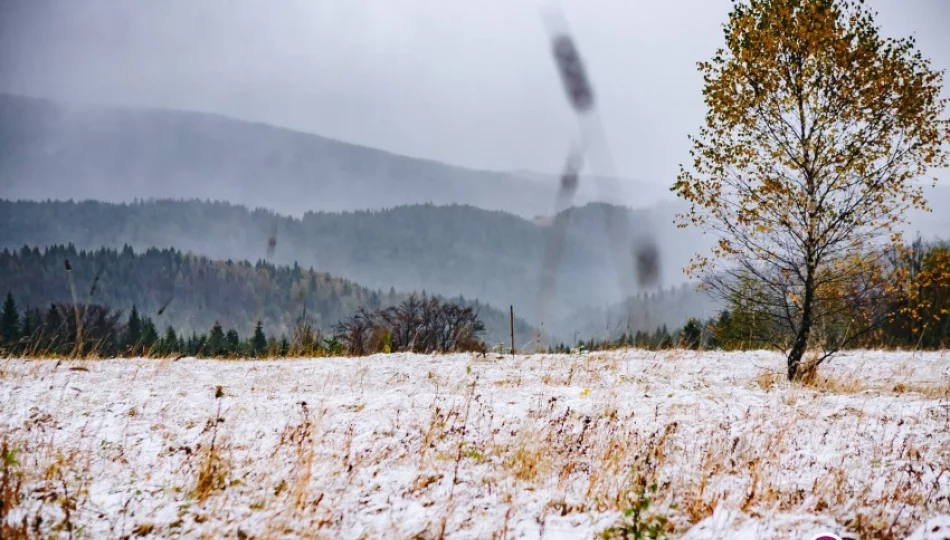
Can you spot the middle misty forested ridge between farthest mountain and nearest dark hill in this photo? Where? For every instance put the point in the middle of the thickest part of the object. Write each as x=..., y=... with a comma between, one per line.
x=450, y=250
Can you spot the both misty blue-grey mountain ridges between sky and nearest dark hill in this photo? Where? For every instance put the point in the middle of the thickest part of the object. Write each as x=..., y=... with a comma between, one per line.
x=477, y=238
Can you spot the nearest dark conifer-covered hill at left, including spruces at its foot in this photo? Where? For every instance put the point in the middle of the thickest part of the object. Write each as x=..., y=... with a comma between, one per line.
x=170, y=291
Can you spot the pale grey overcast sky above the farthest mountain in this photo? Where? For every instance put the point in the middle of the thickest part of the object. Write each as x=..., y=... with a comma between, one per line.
x=466, y=82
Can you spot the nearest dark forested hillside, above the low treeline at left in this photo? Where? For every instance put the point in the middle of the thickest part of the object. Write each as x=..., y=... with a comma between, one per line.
x=197, y=291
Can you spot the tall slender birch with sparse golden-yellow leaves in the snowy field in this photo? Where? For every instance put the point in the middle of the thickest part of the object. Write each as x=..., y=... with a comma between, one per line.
x=817, y=132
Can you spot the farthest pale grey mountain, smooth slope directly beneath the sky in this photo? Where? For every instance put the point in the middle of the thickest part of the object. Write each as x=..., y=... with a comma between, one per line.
x=51, y=150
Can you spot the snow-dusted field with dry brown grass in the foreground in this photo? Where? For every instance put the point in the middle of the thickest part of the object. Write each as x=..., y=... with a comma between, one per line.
x=699, y=445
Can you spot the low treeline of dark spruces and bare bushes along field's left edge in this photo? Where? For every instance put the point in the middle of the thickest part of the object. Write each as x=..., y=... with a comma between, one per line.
x=418, y=324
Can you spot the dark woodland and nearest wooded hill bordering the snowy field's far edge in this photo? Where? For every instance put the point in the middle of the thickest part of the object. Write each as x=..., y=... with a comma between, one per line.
x=195, y=306
